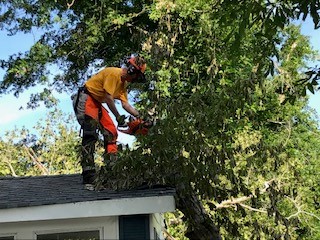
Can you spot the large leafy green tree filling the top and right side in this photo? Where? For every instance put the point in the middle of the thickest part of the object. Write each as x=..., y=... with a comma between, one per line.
x=222, y=137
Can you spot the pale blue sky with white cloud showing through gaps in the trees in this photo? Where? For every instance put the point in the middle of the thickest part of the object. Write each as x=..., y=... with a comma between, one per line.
x=9, y=105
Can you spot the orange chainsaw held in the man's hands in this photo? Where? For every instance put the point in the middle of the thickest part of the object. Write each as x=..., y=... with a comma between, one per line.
x=136, y=126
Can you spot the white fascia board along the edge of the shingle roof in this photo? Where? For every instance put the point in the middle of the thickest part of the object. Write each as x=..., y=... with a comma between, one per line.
x=101, y=208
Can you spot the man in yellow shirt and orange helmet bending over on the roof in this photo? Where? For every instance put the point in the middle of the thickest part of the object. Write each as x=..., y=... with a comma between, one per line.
x=104, y=87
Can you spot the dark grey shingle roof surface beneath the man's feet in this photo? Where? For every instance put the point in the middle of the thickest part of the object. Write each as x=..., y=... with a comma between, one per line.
x=60, y=189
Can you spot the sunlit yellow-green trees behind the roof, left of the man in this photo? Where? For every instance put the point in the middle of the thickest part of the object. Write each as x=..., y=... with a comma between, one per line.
x=52, y=148
